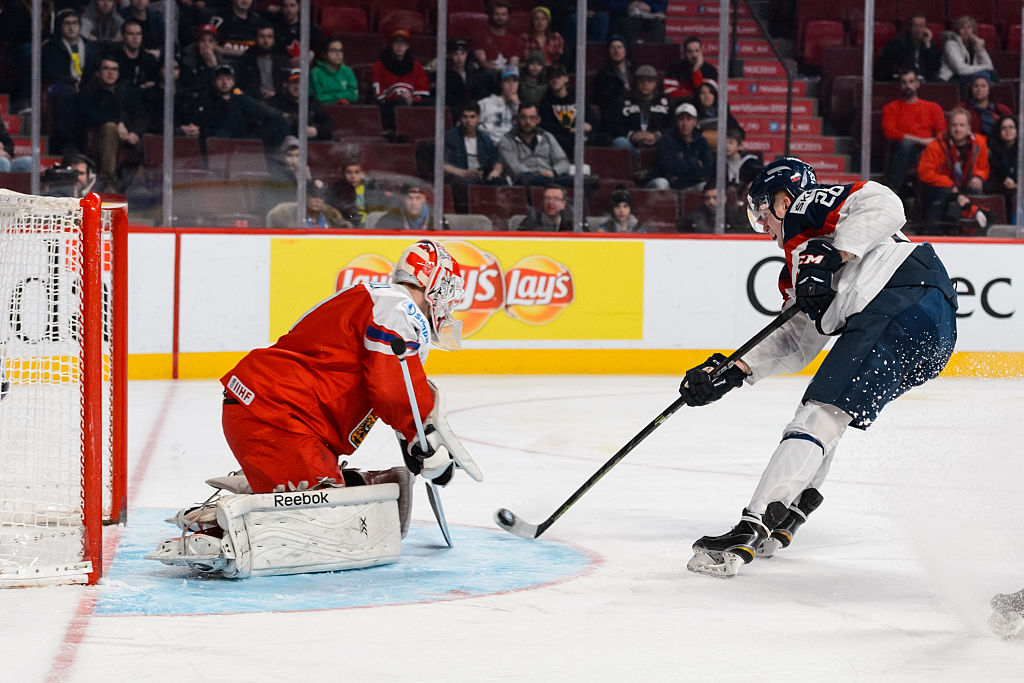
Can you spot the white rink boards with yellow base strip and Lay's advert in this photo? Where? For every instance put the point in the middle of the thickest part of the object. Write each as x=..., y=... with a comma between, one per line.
x=201, y=300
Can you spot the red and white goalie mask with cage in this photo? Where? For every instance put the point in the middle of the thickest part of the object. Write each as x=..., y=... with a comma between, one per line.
x=429, y=266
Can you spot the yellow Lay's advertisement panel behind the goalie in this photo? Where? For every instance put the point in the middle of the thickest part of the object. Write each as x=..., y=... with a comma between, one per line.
x=516, y=289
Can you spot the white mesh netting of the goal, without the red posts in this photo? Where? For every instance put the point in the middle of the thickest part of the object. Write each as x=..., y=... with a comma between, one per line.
x=41, y=426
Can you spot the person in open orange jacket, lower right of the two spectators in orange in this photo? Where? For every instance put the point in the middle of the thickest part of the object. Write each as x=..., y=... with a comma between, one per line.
x=953, y=167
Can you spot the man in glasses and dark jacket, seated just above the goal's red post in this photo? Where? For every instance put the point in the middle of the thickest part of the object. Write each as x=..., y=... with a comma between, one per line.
x=117, y=119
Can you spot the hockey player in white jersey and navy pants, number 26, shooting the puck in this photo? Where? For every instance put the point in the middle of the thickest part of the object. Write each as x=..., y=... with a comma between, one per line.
x=854, y=275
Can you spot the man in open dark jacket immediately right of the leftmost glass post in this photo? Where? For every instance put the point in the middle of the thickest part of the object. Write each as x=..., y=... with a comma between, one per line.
x=68, y=63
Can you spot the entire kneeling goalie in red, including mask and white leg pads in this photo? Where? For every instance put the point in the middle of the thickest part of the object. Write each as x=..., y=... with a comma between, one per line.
x=293, y=409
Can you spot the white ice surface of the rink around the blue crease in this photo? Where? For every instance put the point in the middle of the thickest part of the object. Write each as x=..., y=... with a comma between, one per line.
x=890, y=579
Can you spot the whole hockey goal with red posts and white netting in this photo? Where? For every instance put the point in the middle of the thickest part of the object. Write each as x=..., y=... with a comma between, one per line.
x=62, y=372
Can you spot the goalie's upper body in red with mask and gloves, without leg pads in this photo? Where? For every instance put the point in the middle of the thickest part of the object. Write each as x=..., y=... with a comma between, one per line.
x=293, y=409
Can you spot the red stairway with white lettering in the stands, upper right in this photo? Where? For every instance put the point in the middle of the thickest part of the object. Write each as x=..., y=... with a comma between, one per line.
x=758, y=100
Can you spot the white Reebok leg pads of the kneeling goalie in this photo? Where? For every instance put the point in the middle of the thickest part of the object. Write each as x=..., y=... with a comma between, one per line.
x=297, y=532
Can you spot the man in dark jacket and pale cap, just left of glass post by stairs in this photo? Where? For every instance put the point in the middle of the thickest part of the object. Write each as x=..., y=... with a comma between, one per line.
x=684, y=155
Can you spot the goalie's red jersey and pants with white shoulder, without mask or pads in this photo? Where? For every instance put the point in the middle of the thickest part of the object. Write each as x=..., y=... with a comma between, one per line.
x=328, y=380
